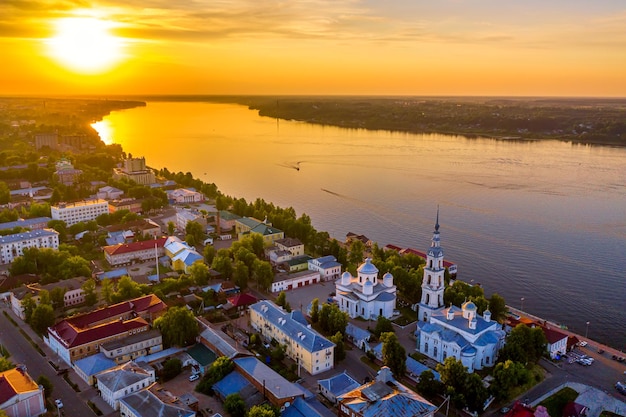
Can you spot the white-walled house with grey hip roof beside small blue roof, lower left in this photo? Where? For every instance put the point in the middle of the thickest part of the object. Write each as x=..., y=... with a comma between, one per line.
x=123, y=380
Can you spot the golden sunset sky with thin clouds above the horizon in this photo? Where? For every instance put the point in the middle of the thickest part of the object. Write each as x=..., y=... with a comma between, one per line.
x=334, y=47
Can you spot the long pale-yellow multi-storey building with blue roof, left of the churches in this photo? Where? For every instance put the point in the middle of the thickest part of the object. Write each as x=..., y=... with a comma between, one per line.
x=305, y=346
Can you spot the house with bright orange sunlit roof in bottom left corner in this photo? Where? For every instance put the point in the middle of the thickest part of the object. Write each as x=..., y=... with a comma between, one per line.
x=20, y=396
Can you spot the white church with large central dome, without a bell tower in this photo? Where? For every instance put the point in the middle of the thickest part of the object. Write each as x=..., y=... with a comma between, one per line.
x=364, y=295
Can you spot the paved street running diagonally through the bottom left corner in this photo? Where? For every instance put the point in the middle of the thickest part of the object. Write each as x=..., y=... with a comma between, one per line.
x=74, y=404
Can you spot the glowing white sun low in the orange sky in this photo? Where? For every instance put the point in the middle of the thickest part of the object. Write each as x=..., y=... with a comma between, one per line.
x=85, y=44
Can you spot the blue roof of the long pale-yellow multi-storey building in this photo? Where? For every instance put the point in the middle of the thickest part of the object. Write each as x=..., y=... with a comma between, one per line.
x=292, y=327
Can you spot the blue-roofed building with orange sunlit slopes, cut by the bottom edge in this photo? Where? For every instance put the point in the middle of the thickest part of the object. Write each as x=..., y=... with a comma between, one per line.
x=384, y=397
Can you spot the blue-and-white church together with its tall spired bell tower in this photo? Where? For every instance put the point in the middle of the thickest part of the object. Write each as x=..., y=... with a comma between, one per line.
x=458, y=332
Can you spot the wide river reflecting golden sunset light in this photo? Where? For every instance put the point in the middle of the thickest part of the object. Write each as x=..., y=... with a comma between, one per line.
x=542, y=223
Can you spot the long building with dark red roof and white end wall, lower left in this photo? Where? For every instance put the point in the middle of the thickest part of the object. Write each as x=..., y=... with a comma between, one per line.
x=79, y=336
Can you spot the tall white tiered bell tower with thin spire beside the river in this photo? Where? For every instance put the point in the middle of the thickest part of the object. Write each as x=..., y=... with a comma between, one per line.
x=433, y=284
